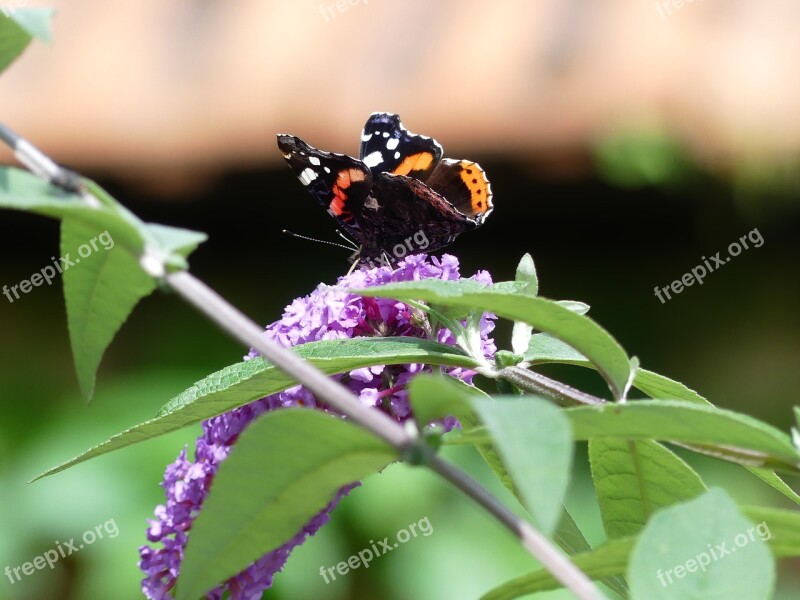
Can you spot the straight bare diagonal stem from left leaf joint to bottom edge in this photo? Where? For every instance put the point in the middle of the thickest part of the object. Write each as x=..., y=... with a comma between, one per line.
x=236, y=324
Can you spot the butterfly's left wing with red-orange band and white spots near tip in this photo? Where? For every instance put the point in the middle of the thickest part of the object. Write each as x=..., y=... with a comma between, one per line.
x=340, y=183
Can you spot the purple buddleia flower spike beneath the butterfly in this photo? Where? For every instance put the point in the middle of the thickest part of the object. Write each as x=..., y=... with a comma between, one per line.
x=327, y=313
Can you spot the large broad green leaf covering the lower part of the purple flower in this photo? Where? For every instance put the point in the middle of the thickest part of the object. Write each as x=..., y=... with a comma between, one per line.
x=284, y=469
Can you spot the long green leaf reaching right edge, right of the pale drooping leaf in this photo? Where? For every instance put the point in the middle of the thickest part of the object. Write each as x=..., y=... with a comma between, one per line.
x=729, y=435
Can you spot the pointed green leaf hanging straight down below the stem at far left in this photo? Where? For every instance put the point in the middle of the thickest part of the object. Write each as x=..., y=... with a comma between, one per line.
x=101, y=289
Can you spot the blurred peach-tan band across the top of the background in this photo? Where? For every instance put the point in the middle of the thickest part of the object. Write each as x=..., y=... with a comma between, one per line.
x=153, y=87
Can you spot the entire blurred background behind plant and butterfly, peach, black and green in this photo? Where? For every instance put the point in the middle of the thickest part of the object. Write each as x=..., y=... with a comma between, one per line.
x=623, y=139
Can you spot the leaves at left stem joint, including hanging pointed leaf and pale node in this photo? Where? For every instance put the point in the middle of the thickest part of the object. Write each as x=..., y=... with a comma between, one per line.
x=102, y=287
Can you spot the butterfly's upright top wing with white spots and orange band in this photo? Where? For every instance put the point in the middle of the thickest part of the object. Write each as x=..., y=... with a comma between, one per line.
x=388, y=147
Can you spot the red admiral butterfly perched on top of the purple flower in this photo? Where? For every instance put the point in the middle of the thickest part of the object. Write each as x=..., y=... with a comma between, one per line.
x=400, y=197
